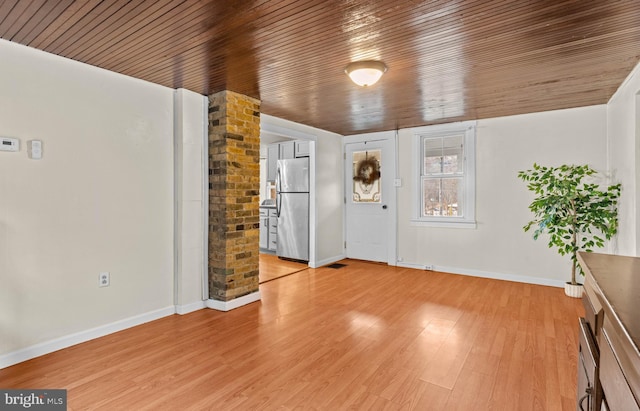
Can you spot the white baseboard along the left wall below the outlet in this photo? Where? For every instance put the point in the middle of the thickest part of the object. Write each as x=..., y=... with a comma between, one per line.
x=47, y=347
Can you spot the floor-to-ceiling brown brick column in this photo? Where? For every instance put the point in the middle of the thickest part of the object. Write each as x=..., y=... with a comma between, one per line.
x=234, y=190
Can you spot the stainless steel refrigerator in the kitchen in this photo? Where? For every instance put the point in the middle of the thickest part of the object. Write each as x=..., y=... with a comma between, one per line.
x=292, y=205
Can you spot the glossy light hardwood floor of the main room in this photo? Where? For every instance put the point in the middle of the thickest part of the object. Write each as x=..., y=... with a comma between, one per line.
x=365, y=336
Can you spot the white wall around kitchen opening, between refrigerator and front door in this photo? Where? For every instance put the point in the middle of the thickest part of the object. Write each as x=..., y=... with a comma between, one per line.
x=329, y=187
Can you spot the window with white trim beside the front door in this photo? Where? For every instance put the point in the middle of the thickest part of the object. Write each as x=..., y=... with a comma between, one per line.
x=444, y=175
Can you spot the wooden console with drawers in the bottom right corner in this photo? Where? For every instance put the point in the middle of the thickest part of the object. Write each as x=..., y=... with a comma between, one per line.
x=609, y=372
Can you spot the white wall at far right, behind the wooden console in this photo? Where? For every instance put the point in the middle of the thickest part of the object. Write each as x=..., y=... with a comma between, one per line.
x=623, y=133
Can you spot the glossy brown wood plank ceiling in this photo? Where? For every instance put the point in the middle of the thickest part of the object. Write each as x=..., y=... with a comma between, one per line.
x=447, y=60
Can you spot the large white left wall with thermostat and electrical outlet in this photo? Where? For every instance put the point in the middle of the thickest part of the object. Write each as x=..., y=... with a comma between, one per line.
x=99, y=200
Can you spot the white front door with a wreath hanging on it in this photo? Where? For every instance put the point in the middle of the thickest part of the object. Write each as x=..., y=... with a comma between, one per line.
x=370, y=200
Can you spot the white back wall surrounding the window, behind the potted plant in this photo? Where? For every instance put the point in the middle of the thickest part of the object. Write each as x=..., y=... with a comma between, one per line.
x=499, y=247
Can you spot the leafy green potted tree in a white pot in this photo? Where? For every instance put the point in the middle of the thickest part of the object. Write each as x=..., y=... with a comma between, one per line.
x=577, y=215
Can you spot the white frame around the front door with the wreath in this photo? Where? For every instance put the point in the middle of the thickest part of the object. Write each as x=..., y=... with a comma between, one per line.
x=393, y=197
